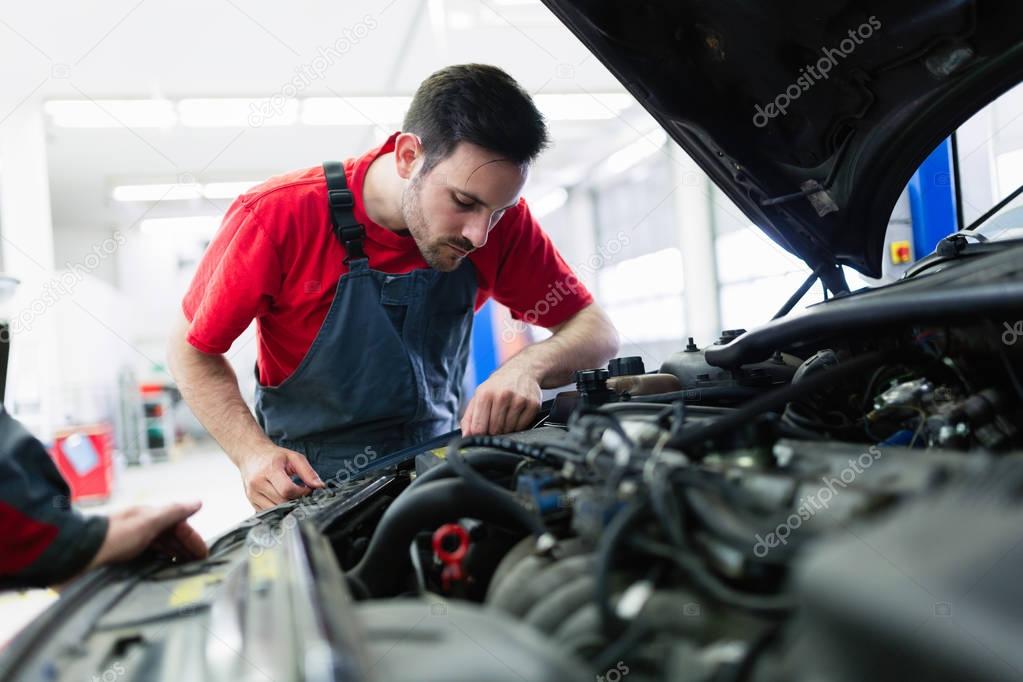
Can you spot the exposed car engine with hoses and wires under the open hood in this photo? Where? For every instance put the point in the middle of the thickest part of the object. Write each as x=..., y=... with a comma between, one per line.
x=718, y=530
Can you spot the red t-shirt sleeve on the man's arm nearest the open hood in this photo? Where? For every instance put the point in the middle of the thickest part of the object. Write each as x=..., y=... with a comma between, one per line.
x=533, y=281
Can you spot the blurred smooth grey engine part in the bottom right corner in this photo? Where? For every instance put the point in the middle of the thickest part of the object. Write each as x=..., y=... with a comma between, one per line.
x=951, y=611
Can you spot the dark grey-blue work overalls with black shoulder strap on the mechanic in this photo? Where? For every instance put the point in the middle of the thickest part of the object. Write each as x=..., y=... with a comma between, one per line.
x=386, y=370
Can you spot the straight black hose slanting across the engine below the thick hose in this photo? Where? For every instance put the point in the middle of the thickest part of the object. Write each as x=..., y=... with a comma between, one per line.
x=776, y=400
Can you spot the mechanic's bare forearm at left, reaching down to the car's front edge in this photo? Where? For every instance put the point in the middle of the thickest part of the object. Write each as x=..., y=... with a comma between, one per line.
x=210, y=387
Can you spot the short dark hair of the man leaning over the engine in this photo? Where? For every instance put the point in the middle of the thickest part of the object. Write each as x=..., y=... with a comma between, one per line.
x=476, y=104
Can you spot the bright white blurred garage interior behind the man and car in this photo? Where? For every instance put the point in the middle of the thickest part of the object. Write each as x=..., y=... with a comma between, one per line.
x=123, y=145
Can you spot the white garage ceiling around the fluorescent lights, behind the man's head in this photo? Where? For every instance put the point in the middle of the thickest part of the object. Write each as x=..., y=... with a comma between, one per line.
x=252, y=49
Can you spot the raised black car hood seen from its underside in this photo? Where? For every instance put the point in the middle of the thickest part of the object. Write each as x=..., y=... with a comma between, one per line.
x=812, y=116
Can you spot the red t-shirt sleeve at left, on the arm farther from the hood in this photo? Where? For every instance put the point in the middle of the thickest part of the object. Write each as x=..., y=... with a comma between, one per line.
x=236, y=282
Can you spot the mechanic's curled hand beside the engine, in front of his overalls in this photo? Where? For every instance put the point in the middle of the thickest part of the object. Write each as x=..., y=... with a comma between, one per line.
x=507, y=402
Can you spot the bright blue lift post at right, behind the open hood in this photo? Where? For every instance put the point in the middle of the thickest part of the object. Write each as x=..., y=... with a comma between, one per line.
x=932, y=201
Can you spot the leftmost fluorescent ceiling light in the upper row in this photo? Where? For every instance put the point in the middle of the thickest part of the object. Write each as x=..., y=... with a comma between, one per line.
x=112, y=113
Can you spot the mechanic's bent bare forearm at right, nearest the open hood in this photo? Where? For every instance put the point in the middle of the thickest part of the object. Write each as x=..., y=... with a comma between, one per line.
x=588, y=340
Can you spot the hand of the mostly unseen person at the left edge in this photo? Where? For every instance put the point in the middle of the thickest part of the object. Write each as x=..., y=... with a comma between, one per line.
x=129, y=533
